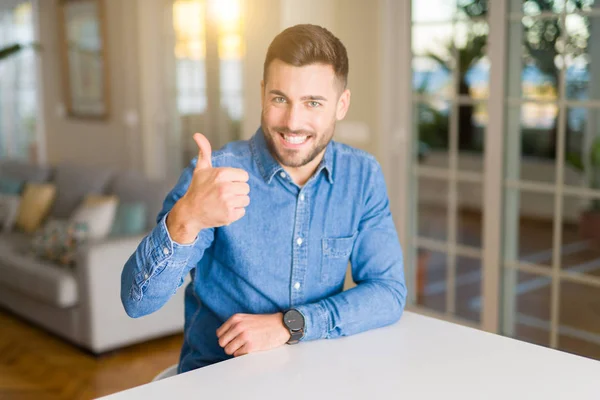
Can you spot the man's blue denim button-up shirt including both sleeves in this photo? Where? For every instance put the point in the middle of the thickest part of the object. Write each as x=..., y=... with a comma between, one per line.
x=290, y=250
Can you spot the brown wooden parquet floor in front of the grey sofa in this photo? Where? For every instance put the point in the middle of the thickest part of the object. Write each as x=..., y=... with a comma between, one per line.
x=38, y=366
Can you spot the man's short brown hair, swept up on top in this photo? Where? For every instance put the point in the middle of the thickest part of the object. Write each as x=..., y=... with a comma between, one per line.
x=307, y=44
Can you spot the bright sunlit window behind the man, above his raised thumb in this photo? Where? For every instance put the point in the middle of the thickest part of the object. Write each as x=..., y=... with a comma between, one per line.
x=209, y=50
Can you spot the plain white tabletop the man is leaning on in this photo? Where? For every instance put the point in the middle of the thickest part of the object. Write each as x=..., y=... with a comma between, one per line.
x=417, y=358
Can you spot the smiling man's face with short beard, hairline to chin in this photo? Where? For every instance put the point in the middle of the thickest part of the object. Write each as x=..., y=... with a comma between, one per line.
x=300, y=106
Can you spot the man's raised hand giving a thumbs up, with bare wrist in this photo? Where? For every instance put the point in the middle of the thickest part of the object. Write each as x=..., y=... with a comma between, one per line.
x=215, y=197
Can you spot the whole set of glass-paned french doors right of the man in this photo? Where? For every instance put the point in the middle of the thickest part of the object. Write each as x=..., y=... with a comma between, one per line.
x=499, y=196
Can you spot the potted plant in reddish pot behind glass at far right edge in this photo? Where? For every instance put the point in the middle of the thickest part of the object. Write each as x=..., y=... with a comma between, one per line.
x=589, y=224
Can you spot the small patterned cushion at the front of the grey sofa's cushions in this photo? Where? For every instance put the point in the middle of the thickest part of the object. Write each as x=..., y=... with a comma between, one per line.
x=58, y=241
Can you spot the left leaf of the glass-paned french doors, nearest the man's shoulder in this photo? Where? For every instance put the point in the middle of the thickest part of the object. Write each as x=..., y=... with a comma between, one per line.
x=450, y=79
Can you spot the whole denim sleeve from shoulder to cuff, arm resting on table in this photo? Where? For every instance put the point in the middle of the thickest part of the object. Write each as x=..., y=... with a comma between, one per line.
x=377, y=267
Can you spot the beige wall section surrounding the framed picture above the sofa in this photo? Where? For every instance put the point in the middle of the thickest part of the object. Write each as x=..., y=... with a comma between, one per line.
x=110, y=142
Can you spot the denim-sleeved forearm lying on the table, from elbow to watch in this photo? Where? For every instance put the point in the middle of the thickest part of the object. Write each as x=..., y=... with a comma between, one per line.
x=371, y=304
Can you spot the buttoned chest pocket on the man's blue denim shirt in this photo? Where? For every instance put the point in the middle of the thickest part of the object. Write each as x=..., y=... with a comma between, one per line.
x=336, y=255
